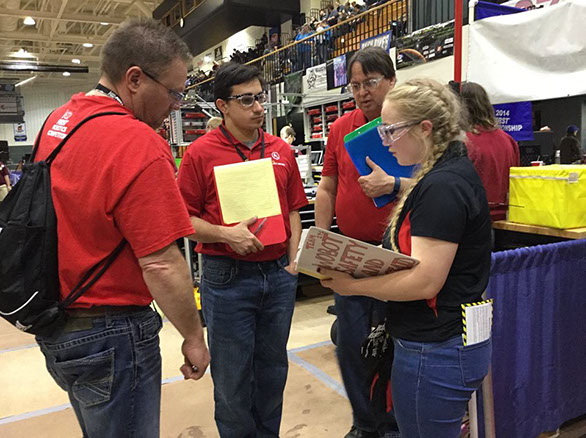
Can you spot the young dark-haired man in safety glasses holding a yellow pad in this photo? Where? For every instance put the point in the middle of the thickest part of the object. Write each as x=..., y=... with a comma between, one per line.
x=248, y=290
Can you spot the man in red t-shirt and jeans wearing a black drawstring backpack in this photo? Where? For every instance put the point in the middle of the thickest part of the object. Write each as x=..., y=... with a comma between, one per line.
x=113, y=186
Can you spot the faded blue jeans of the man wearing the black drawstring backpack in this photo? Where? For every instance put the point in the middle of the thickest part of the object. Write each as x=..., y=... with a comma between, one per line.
x=110, y=366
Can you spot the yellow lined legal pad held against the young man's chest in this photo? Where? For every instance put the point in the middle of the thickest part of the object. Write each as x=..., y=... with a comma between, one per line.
x=247, y=189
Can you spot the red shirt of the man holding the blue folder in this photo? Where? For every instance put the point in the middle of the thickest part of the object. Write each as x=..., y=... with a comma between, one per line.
x=356, y=214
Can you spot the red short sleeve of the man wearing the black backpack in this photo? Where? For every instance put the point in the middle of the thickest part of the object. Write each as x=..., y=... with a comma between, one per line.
x=151, y=214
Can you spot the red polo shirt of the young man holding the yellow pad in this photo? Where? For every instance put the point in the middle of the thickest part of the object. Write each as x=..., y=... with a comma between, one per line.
x=196, y=182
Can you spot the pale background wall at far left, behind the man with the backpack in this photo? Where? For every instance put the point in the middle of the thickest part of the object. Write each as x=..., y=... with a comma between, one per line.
x=39, y=100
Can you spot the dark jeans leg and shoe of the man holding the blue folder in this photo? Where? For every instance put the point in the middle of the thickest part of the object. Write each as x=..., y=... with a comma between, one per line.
x=356, y=316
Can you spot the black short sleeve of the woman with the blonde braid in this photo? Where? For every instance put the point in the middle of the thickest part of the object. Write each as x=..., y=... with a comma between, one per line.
x=441, y=209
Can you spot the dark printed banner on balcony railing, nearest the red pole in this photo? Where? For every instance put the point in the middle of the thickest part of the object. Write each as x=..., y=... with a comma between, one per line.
x=428, y=44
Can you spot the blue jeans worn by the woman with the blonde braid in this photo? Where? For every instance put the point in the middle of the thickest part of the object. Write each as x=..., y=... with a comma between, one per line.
x=432, y=383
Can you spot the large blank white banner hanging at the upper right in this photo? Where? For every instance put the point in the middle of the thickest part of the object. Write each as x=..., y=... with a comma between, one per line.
x=533, y=55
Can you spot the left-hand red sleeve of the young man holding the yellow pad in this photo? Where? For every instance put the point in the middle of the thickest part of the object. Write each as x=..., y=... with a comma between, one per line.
x=192, y=185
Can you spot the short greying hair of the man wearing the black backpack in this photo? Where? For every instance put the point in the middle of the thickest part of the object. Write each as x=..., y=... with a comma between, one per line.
x=144, y=43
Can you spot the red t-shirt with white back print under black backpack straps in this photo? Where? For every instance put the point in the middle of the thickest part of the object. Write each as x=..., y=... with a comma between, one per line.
x=114, y=179
